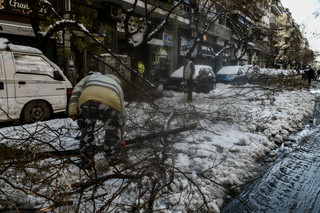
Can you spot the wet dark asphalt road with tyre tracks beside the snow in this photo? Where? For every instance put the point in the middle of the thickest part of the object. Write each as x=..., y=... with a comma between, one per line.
x=291, y=183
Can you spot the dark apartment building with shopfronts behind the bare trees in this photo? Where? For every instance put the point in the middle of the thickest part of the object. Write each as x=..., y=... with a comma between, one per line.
x=163, y=54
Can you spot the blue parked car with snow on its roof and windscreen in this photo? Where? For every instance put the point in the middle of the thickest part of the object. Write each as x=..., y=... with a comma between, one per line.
x=234, y=75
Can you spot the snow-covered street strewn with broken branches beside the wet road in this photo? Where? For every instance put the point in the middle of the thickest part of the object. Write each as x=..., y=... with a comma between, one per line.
x=197, y=169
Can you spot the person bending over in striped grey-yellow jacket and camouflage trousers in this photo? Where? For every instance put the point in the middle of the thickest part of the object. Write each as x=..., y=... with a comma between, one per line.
x=98, y=97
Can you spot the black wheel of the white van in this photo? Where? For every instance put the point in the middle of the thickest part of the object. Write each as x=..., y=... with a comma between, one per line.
x=35, y=111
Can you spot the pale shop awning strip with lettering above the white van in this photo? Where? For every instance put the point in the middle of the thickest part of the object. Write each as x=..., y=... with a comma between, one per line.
x=9, y=27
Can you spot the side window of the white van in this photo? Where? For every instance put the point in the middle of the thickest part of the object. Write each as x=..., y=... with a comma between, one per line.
x=33, y=64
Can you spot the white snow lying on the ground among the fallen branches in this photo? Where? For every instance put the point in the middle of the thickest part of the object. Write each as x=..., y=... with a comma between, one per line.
x=235, y=127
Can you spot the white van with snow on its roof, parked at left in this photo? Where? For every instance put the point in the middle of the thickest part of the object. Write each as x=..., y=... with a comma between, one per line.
x=32, y=88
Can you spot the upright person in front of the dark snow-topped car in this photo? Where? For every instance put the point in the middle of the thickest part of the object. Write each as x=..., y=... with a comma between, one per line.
x=188, y=76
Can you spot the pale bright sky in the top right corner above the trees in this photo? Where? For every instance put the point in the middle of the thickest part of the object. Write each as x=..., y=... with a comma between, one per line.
x=302, y=12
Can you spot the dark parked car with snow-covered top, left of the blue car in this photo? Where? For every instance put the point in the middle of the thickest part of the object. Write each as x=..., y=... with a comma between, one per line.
x=205, y=79
